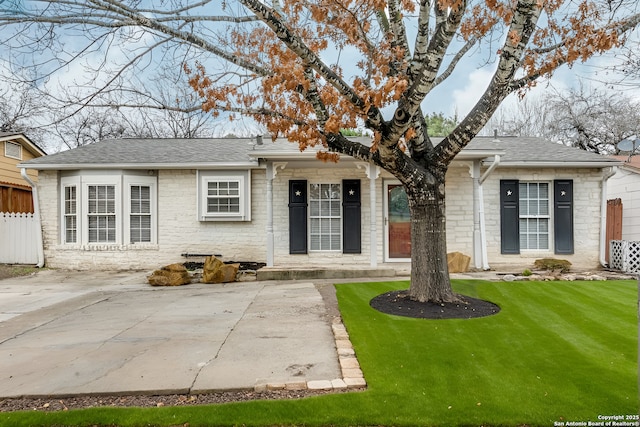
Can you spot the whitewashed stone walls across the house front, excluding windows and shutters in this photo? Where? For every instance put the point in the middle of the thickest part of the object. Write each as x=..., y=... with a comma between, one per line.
x=179, y=230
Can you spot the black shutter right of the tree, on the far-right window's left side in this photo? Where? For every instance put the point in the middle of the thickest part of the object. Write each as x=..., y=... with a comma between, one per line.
x=509, y=217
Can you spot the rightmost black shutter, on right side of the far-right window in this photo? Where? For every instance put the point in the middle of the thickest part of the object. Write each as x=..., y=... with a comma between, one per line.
x=563, y=215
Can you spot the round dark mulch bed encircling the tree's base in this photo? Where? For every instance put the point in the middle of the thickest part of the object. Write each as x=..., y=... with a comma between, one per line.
x=399, y=303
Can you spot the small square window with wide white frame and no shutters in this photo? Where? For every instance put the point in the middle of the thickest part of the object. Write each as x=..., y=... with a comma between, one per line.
x=224, y=195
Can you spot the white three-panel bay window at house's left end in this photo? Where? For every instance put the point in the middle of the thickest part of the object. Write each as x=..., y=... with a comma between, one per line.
x=116, y=208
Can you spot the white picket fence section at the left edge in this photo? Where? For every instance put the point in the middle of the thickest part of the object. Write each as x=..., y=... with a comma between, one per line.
x=18, y=238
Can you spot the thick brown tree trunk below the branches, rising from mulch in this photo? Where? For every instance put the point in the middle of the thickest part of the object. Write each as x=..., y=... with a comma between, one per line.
x=429, y=270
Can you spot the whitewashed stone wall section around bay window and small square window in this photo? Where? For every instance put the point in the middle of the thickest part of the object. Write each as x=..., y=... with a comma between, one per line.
x=179, y=230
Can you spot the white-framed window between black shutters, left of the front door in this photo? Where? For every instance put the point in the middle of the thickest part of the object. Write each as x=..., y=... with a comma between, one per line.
x=325, y=217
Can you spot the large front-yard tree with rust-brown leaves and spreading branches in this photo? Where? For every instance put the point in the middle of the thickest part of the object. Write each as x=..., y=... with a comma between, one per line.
x=307, y=68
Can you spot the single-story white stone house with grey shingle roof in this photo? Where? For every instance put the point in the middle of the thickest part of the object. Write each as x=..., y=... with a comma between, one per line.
x=140, y=204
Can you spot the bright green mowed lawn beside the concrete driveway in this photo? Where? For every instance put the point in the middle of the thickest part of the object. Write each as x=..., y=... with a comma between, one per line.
x=557, y=352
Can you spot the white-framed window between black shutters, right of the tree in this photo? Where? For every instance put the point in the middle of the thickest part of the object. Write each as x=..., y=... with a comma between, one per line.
x=534, y=215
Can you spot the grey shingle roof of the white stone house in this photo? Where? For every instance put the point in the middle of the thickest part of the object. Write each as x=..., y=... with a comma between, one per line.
x=245, y=152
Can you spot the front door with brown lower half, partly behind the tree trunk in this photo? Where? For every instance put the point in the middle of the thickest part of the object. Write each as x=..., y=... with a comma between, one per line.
x=397, y=223
